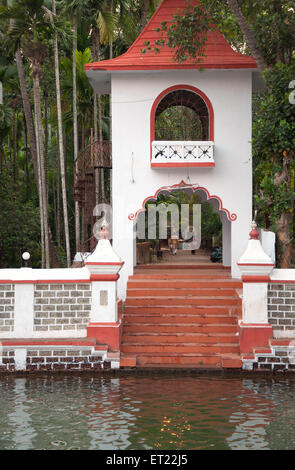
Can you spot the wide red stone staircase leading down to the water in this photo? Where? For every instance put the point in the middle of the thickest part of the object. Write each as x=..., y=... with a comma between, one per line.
x=181, y=317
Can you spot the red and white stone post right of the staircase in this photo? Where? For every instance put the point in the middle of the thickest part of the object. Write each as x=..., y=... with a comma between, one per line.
x=255, y=266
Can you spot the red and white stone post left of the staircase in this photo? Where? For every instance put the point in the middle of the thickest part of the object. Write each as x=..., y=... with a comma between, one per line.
x=104, y=265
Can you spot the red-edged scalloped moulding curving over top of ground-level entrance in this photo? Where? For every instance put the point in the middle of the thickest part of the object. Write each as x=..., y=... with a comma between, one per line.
x=231, y=217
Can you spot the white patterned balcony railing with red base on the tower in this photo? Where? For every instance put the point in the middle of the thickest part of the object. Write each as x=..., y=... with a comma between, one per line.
x=180, y=153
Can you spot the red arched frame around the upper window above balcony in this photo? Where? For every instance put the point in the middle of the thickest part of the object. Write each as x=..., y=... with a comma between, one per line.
x=174, y=88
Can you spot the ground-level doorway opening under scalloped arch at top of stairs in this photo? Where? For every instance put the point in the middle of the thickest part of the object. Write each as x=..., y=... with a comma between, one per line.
x=196, y=230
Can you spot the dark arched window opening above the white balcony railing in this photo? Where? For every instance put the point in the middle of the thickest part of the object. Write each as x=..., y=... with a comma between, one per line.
x=182, y=115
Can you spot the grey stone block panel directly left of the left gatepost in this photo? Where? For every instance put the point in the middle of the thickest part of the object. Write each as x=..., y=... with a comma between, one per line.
x=61, y=307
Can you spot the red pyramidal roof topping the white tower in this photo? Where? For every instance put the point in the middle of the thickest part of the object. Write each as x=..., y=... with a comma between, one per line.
x=218, y=52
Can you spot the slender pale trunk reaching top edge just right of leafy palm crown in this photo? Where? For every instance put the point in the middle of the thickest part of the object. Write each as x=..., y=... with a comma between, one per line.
x=60, y=145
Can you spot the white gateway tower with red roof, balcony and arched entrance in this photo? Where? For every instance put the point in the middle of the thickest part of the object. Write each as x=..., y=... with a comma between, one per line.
x=215, y=160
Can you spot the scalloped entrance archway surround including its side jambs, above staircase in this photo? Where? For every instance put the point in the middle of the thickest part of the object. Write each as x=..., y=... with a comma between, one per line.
x=204, y=196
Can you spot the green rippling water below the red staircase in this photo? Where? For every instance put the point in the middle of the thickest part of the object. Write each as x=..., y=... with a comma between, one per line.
x=146, y=412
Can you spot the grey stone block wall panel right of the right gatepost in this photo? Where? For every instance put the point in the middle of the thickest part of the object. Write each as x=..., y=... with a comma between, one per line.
x=281, y=309
